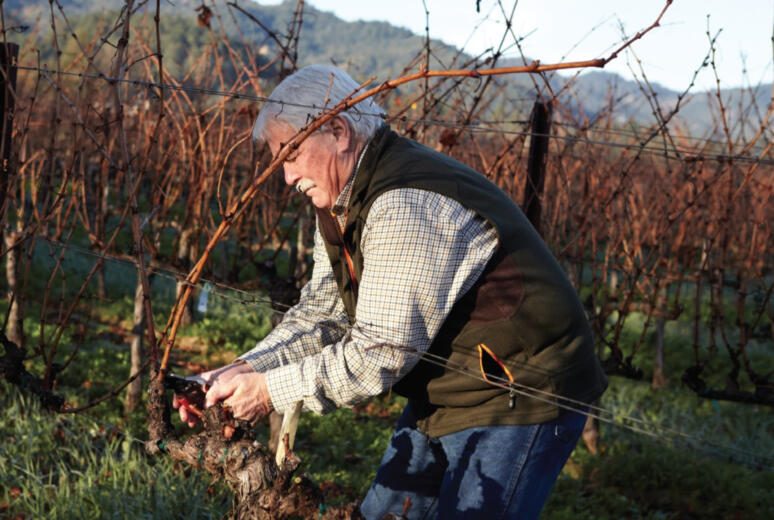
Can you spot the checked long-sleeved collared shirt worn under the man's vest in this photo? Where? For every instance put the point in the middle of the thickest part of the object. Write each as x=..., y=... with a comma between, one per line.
x=422, y=252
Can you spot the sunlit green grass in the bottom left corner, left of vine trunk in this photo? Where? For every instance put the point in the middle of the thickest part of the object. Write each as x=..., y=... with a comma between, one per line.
x=64, y=467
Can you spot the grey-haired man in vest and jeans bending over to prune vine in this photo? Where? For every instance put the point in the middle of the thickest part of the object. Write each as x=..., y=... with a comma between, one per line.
x=430, y=281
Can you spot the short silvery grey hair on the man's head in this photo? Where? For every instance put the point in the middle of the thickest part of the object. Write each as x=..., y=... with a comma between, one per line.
x=301, y=96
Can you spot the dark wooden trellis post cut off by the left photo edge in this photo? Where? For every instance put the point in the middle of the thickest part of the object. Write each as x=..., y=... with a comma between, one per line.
x=8, y=55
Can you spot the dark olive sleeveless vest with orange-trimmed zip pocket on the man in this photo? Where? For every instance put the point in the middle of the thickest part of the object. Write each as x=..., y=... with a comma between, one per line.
x=523, y=308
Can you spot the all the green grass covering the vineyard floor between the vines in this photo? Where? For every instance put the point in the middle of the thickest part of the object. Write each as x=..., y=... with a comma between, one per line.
x=56, y=466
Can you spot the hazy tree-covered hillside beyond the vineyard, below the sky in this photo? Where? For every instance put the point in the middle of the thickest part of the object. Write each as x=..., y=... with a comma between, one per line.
x=368, y=49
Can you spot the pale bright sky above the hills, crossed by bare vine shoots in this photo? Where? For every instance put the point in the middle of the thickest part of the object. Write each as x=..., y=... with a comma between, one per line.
x=561, y=30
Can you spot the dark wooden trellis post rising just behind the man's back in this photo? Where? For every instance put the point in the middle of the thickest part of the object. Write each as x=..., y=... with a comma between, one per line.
x=540, y=126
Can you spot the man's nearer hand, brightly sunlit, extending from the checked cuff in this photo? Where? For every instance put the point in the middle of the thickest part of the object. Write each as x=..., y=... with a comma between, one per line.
x=245, y=394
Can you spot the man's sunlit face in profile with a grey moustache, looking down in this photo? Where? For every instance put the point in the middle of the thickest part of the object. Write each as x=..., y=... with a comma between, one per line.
x=314, y=168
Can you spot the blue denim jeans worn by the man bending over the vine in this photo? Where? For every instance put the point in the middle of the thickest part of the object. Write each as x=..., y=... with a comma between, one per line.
x=487, y=472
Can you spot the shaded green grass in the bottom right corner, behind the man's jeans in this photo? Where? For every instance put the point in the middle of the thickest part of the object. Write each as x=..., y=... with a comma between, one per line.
x=636, y=477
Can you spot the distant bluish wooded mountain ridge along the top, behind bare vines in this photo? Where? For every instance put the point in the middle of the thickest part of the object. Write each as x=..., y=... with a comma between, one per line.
x=367, y=48
